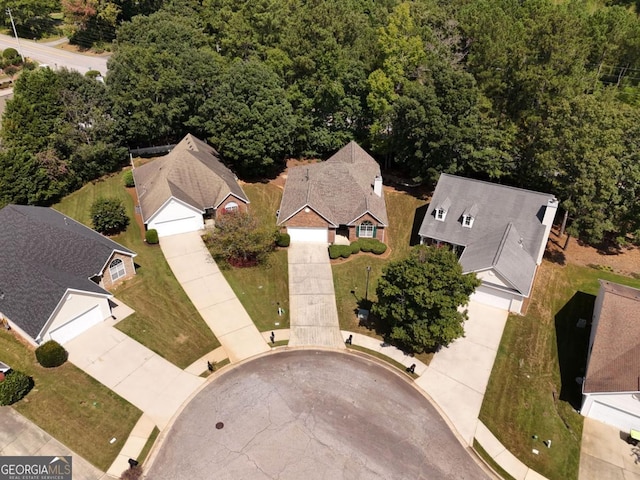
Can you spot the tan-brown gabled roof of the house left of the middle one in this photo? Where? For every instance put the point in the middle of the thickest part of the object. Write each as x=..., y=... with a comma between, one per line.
x=191, y=172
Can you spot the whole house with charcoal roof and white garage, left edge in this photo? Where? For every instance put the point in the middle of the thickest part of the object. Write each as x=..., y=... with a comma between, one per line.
x=54, y=273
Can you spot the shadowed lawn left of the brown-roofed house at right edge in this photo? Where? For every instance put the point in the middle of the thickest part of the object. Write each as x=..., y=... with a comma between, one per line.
x=532, y=389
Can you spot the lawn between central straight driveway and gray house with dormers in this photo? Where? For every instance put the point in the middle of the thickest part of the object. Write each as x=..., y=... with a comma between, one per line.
x=350, y=276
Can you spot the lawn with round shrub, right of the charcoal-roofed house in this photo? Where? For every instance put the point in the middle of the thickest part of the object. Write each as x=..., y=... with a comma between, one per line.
x=165, y=320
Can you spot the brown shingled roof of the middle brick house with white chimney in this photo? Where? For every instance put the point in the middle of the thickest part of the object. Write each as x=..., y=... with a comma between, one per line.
x=339, y=189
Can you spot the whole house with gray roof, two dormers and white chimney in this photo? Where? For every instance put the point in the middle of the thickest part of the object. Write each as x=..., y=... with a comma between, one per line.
x=499, y=232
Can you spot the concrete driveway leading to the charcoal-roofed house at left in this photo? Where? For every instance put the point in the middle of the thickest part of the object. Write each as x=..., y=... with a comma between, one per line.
x=140, y=376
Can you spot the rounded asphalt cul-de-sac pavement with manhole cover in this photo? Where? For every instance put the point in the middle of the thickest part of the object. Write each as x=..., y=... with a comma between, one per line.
x=312, y=415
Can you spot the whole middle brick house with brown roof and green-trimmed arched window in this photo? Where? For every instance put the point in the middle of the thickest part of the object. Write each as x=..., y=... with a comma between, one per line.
x=341, y=196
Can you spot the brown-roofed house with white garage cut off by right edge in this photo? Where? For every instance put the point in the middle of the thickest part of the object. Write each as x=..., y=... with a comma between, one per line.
x=611, y=387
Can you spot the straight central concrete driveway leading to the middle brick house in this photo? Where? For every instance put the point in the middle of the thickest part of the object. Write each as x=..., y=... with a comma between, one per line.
x=312, y=299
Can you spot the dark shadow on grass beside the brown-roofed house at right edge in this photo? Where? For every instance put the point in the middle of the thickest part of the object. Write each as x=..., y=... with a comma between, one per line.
x=573, y=345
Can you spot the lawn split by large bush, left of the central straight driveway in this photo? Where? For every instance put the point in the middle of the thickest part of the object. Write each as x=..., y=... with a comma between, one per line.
x=260, y=289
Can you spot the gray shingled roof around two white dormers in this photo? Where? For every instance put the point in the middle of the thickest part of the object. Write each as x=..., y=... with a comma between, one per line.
x=507, y=229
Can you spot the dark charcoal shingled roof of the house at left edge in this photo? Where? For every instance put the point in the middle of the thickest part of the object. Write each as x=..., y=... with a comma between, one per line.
x=42, y=254
